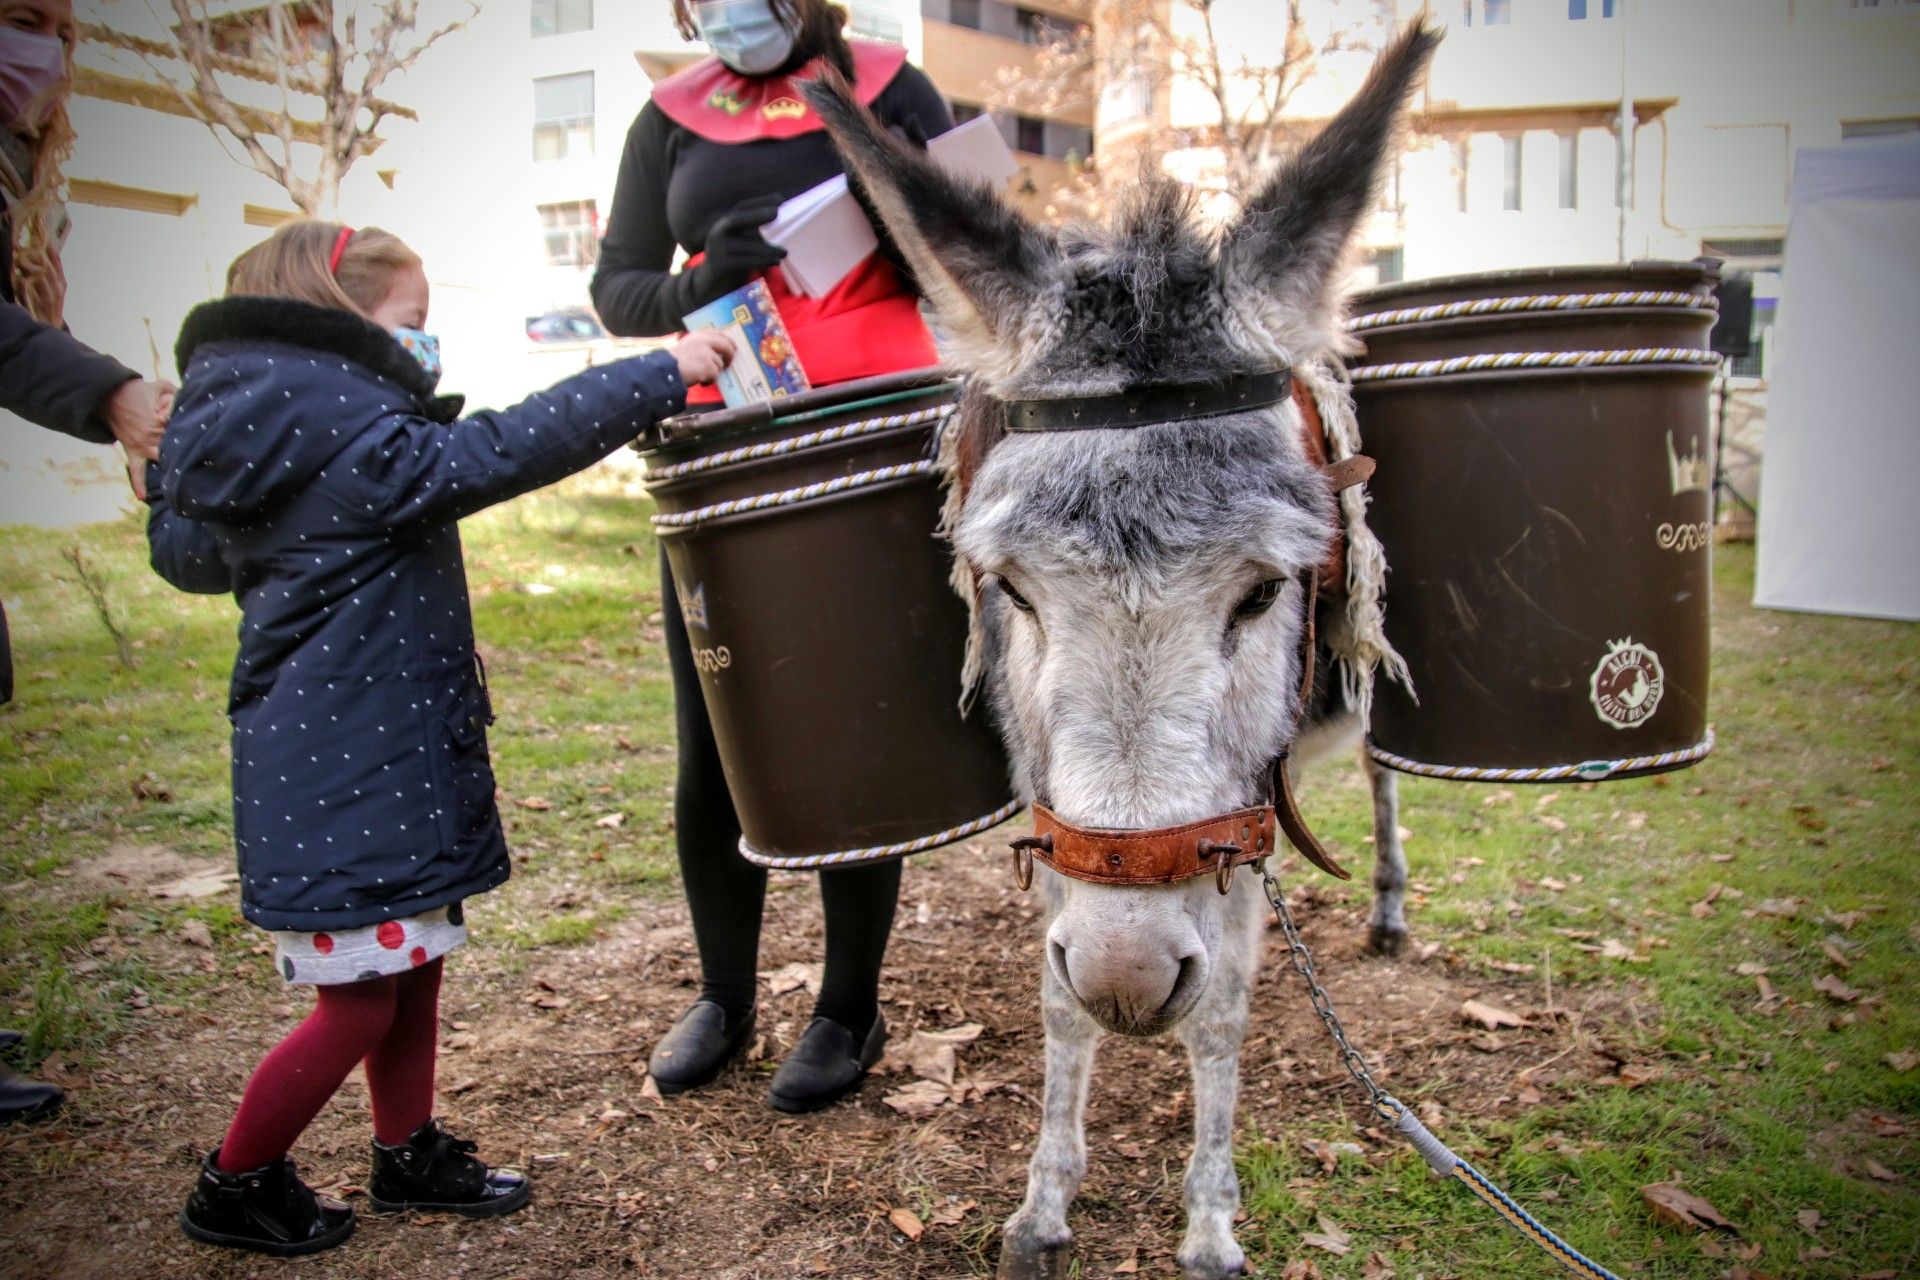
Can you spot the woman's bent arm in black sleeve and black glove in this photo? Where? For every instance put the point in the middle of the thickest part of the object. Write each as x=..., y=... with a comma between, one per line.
x=633, y=289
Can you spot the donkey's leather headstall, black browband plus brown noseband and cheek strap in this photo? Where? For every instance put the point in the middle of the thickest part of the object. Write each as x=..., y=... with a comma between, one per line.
x=1222, y=843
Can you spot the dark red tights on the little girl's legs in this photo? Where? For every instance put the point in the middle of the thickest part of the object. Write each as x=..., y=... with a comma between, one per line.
x=393, y=1024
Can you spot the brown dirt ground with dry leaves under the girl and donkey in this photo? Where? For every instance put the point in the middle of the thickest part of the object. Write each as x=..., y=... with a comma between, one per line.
x=717, y=1185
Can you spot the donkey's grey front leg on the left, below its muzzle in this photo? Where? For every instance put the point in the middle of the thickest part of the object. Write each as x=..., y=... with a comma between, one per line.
x=1036, y=1243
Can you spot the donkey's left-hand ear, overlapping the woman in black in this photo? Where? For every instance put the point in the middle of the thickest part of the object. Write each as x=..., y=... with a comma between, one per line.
x=980, y=264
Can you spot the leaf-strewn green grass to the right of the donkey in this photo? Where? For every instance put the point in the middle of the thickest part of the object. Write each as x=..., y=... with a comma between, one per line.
x=1798, y=840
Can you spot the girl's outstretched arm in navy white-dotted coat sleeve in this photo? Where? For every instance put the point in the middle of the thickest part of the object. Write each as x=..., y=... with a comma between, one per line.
x=418, y=471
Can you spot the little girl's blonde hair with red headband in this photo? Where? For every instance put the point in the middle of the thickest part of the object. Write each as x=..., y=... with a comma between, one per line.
x=300, y=262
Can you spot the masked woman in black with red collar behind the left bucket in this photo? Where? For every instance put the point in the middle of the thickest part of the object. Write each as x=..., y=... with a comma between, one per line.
x=706, y=168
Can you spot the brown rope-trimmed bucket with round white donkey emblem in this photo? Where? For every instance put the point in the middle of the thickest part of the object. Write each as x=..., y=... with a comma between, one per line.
x=1543, y=500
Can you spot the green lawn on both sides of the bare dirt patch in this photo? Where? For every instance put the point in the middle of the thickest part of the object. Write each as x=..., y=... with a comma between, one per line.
x=1760, y=1106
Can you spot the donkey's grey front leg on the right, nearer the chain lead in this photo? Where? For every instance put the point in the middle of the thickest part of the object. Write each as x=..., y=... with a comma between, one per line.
x=1212, y=1035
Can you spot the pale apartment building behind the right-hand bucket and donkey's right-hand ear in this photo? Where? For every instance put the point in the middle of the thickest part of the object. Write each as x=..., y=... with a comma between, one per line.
x=1518, y=160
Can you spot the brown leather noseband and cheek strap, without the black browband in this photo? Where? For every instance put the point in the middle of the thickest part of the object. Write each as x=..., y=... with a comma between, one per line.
x=1212, y=845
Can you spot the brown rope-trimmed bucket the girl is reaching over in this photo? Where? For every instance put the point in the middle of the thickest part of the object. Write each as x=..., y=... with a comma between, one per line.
x=817, y=600
